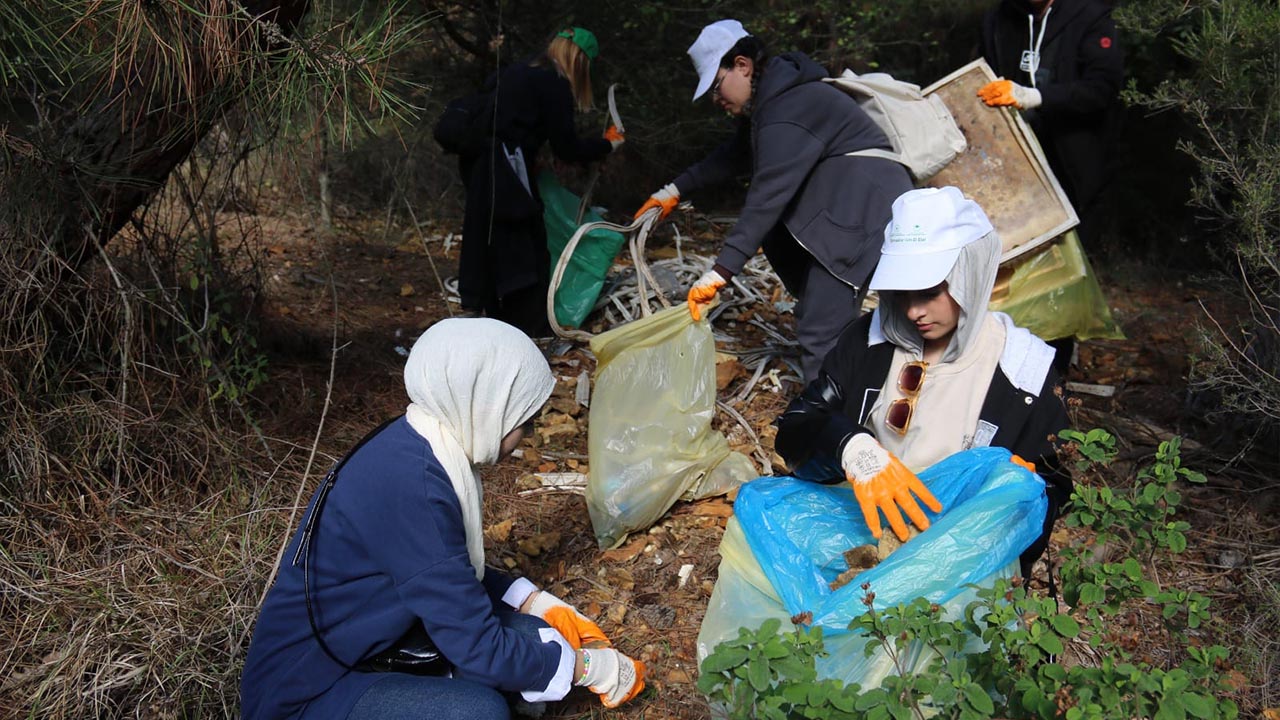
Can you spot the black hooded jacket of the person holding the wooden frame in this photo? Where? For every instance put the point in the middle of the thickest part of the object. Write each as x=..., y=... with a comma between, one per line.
x=1080, y=79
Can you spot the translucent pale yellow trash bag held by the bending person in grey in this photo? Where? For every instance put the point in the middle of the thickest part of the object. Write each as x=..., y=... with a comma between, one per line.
x=651, y=436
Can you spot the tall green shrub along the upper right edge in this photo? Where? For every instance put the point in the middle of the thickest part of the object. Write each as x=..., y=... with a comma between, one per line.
x=1224, y=80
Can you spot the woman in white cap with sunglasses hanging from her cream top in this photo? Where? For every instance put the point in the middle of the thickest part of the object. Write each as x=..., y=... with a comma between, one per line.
x=930, y=373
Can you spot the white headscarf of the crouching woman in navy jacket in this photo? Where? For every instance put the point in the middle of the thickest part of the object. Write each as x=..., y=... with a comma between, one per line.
x=470, y=382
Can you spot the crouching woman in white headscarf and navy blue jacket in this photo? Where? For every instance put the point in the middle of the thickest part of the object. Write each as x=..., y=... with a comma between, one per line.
x=390, y=563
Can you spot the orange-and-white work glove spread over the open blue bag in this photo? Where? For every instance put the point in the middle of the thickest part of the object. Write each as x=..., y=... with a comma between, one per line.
x=884, y=485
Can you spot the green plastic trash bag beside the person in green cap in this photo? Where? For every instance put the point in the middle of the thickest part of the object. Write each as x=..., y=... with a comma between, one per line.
x=584, y=277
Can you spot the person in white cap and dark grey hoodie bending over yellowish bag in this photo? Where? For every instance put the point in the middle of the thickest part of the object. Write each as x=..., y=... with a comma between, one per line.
x=815, y=211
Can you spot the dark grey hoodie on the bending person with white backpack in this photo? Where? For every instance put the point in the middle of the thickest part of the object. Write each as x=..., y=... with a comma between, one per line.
x=799, y=133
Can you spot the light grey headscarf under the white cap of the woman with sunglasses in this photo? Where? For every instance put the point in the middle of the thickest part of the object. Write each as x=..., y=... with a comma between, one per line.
x=970, y=282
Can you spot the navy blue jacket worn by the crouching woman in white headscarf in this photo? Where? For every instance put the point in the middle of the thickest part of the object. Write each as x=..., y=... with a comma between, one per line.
x=390, y=552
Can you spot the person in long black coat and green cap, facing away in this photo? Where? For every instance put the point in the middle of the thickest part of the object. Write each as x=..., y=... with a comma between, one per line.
x=505, y=268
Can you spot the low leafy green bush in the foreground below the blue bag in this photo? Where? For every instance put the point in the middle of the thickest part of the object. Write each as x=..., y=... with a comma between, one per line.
x=1027, y=669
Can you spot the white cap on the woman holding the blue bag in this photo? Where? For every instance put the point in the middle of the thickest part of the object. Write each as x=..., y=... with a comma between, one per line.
x=925, y=238
